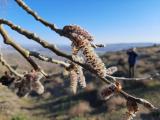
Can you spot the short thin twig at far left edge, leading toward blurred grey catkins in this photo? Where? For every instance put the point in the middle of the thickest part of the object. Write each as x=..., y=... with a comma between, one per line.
x=4, y=63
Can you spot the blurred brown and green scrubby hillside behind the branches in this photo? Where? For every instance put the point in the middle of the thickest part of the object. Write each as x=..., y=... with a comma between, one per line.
x=58, y=104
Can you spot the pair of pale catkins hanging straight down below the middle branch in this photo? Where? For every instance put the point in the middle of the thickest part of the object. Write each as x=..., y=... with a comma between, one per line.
x=76, y=75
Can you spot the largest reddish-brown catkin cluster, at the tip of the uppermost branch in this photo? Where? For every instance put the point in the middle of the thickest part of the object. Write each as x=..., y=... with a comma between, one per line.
x=81, y=41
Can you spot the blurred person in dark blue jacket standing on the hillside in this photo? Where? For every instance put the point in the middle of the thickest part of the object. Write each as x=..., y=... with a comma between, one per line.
x=132, y=56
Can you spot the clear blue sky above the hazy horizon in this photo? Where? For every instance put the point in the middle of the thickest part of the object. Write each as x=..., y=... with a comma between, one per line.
x=109, y=21
